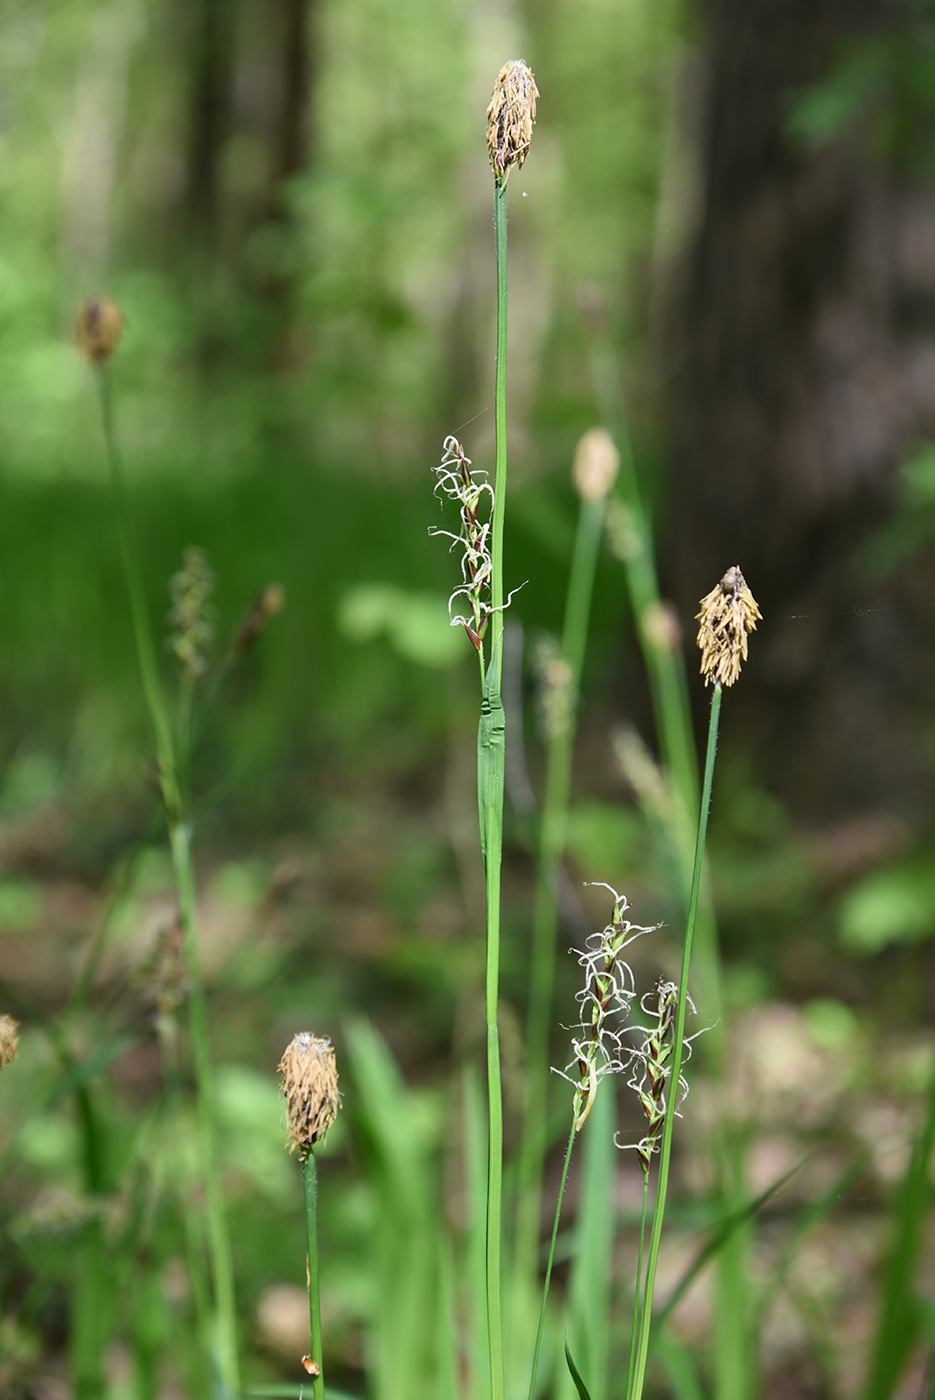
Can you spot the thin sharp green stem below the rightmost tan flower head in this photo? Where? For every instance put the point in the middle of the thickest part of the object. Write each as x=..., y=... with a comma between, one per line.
x=673, y=1093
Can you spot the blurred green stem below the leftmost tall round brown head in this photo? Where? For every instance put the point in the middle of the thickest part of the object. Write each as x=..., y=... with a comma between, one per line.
x=225, y=1339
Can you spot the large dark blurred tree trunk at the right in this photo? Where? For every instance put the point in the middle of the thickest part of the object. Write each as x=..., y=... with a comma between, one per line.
x=804, y=359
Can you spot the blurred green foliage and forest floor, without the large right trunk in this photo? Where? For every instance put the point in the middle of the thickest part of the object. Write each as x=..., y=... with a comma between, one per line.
x=292, y=363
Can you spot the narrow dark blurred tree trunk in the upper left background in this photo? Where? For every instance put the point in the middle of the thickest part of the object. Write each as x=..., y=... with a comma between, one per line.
x=253, y=73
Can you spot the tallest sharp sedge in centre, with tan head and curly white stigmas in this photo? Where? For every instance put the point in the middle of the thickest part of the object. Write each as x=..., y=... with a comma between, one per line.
x=510, y=121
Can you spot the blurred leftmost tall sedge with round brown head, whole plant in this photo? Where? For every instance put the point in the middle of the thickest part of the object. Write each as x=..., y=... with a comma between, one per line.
x=99, y=331
